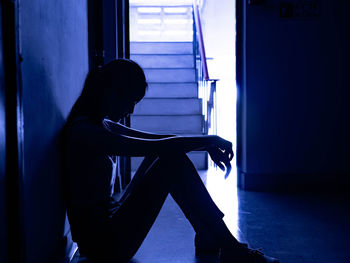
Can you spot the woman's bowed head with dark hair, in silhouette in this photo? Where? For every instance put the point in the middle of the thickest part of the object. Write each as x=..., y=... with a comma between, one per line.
x=112, y=90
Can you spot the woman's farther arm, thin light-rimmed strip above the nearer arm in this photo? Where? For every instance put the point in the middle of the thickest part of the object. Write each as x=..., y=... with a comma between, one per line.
x=118, y=128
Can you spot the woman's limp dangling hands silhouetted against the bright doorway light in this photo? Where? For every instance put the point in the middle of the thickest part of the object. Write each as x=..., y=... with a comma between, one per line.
x=221, y=153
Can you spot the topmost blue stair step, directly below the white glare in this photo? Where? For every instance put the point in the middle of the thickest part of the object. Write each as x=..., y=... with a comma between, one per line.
x=161, y=48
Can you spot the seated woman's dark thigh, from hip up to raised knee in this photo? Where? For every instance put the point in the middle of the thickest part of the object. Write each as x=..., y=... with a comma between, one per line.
x=140, y=206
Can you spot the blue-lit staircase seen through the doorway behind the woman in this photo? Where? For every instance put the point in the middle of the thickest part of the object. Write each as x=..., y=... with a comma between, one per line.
x=171, y=105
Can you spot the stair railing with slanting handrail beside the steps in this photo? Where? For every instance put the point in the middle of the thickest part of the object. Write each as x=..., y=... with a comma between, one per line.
x=206, y=85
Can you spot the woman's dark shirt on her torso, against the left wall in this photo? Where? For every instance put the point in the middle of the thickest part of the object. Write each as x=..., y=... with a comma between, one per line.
x=88, y=166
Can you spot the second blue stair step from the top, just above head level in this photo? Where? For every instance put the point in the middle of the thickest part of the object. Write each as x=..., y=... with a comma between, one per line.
x=164, y=61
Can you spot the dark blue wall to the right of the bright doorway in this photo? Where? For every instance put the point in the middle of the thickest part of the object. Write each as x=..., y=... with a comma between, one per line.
x=295, y=108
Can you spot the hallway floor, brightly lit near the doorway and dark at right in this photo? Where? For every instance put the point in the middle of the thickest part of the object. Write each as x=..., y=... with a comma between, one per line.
x=296, y=228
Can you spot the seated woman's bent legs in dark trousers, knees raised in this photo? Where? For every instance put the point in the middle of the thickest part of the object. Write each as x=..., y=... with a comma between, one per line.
x=142, y=201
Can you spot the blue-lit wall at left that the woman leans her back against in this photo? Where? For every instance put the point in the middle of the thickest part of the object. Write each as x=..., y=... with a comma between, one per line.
x=53, y=38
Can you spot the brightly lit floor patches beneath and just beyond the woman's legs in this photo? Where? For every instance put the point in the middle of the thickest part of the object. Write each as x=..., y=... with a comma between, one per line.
x=171, y=237
